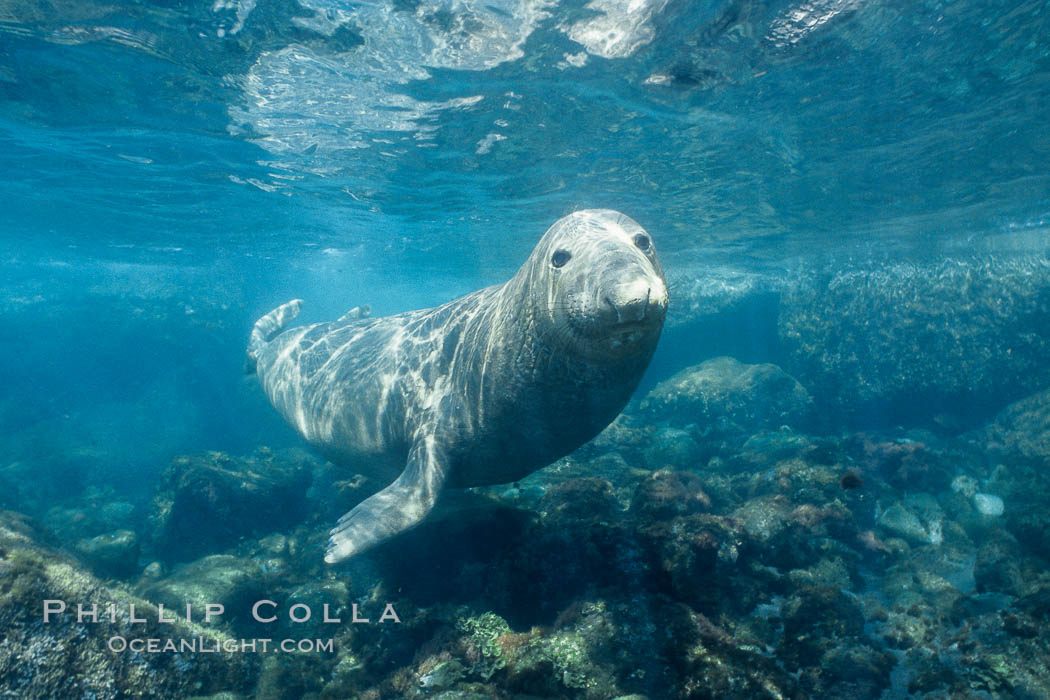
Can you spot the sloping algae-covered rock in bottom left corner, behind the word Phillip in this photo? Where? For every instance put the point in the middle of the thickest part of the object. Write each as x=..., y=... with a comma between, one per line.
x=64, y=659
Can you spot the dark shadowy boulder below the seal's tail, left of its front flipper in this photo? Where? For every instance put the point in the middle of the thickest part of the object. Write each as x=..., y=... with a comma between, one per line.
x=208, y=503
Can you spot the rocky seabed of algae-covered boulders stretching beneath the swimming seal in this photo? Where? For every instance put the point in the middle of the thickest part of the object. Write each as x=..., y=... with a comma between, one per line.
x=708, y=544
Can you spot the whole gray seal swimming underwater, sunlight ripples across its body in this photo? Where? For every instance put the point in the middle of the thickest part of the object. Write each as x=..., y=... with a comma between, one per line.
x=484, y=390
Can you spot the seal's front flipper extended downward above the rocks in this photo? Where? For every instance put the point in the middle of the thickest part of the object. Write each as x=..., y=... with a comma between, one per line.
x=397, y=508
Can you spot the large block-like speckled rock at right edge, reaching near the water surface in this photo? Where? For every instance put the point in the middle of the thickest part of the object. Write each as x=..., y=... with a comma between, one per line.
x=869, y=341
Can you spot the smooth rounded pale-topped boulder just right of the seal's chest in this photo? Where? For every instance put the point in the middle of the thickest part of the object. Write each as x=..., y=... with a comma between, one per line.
x=724, y=396
